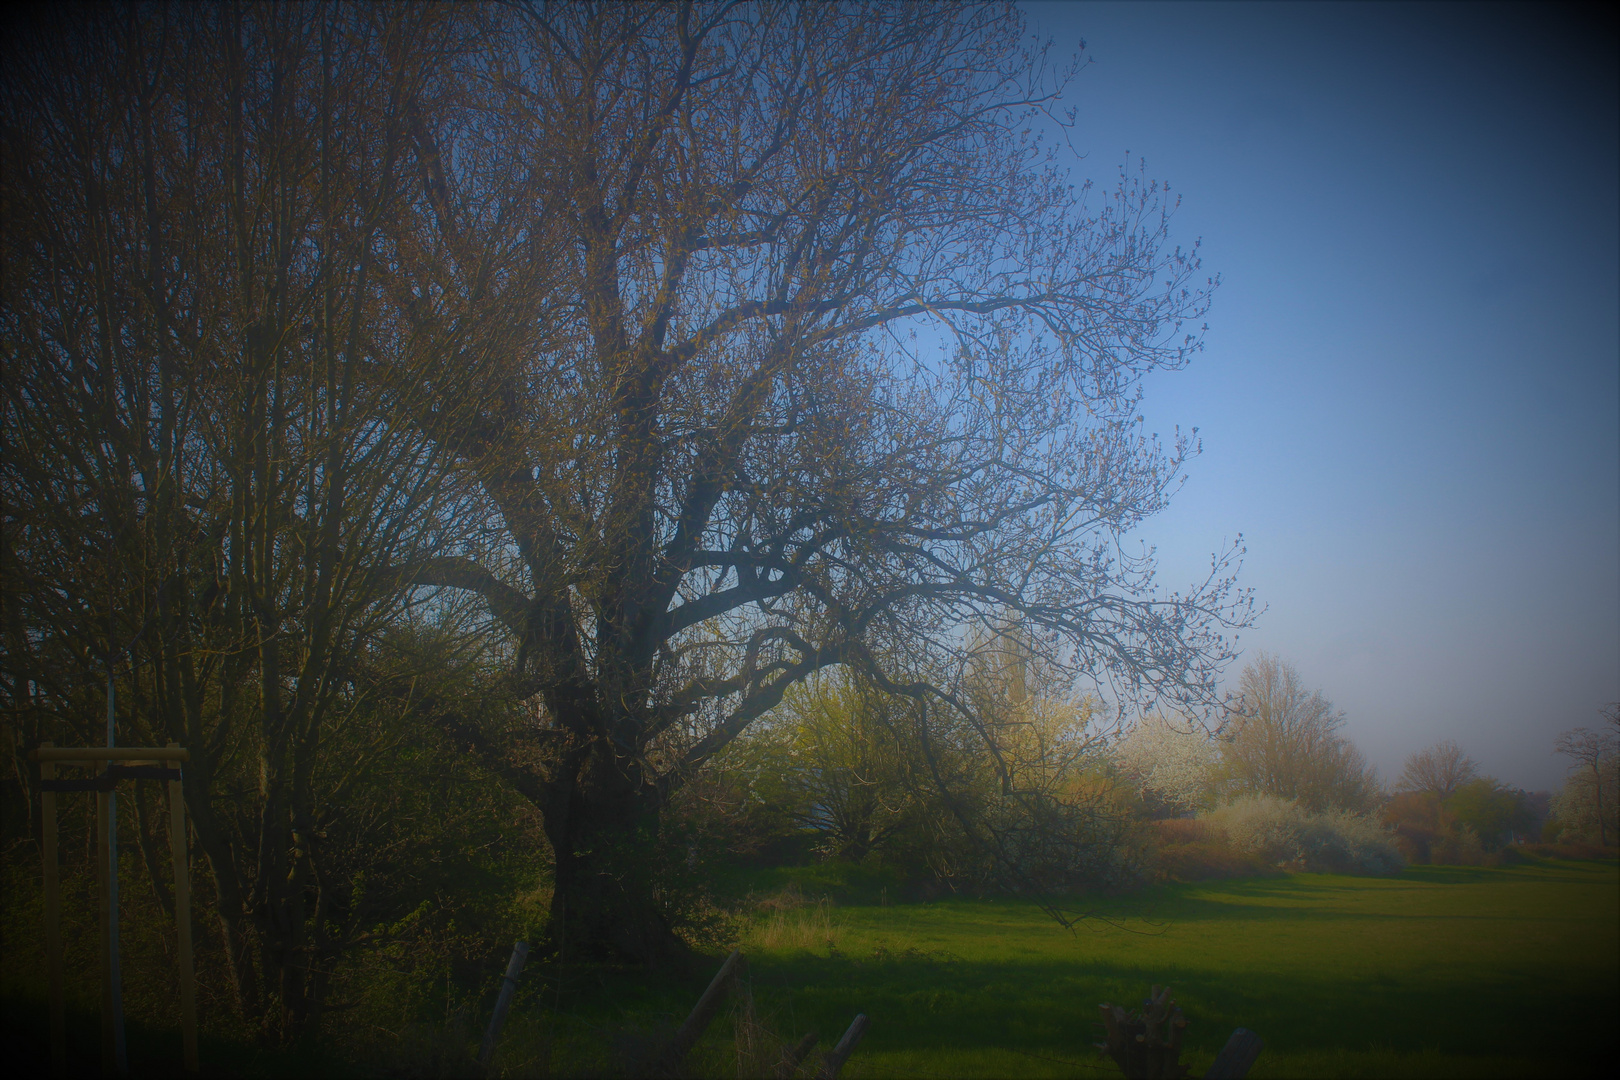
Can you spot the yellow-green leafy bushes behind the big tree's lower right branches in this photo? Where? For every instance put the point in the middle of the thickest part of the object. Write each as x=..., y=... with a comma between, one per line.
x=1012, y=789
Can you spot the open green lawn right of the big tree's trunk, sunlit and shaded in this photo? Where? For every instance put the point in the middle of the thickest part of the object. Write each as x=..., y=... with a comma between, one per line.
x=1439, y=972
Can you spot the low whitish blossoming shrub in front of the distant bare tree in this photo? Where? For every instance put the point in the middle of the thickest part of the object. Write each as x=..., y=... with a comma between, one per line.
x=1285, y=833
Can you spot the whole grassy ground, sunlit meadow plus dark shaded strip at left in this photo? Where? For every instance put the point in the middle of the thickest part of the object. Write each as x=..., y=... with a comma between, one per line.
x=1441, y=972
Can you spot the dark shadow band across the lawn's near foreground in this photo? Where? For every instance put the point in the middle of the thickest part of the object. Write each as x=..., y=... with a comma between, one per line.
x=1036, y=1008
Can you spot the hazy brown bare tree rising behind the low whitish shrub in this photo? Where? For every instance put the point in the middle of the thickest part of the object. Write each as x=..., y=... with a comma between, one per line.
x=1284, y=741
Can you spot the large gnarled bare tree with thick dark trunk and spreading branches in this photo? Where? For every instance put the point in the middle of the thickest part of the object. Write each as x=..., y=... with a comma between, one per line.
x=830, y=365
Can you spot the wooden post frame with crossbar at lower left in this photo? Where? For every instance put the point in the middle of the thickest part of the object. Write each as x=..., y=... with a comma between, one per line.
x=139, y=763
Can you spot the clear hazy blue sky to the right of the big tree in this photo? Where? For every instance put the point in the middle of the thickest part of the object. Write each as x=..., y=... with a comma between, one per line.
x=1410, y=398
